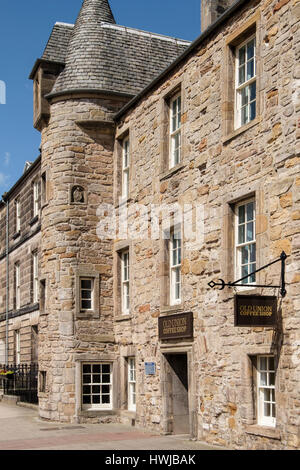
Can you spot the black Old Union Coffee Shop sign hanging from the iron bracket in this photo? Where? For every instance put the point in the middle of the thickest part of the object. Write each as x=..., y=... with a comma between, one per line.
x=255, y=310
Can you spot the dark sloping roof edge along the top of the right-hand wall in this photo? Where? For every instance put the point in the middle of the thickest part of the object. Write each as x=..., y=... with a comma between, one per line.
x=182, y=56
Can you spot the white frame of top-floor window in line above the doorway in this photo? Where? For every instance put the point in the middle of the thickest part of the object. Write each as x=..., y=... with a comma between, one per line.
x=175, y=130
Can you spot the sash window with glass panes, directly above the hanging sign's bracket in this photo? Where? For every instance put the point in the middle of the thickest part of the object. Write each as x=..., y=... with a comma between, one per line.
x=245, y=251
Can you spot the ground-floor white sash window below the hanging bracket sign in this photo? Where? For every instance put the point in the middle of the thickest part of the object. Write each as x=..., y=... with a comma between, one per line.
x=266, y=391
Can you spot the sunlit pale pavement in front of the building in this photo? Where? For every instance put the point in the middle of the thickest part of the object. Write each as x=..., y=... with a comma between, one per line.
x=22, y=429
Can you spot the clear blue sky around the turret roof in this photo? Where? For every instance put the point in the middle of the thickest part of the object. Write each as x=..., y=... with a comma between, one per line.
x=25, y=27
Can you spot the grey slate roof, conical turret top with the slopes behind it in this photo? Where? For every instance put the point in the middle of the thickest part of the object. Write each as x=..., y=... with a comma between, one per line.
x=103, y=56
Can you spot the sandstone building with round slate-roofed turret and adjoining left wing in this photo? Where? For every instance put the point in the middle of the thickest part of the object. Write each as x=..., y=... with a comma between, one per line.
x=164, y=166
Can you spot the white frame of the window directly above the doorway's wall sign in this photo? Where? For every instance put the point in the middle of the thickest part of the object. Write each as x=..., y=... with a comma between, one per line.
x=175, y=257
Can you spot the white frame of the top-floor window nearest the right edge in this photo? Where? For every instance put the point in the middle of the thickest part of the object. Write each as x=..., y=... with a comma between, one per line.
x=246, y=84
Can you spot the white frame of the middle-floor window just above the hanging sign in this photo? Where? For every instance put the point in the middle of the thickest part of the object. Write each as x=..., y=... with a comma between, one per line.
x=239, y=246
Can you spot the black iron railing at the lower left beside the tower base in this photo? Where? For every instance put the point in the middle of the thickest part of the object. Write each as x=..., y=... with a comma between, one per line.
x=20, y=380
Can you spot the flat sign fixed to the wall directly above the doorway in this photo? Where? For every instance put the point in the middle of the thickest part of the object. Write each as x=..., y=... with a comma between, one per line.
x=176, y=326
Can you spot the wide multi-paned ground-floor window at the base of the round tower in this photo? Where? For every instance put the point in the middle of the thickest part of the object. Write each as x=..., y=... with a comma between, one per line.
x=97, y=386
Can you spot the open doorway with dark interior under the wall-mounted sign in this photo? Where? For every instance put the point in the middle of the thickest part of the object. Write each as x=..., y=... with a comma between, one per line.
x=177, y=393
